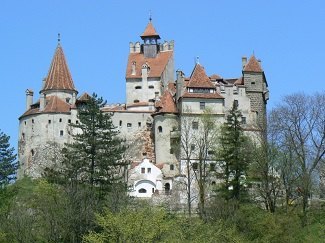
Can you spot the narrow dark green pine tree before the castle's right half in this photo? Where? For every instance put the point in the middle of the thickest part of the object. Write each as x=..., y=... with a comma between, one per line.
x=233, y=155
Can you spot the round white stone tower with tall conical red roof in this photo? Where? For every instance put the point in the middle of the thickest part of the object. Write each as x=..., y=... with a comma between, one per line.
x=44, y=126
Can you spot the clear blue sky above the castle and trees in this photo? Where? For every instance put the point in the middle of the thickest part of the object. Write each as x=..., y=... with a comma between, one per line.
x=288, y=36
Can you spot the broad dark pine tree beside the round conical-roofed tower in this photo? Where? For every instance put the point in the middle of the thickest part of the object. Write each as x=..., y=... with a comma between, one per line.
x=95, y=158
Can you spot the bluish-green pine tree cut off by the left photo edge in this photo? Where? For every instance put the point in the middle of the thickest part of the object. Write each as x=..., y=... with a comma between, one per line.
x=8, y=163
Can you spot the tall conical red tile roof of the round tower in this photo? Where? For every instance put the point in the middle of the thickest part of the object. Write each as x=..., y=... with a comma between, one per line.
x=59, y=77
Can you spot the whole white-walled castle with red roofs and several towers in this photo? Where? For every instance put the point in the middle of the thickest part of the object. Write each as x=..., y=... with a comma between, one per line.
x=158, y=110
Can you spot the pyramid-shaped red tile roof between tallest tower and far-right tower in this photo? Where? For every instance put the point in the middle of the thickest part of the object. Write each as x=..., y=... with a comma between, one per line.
x=199, y=79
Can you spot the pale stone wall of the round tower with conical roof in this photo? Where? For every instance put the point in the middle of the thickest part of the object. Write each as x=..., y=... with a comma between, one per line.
x=35, y=132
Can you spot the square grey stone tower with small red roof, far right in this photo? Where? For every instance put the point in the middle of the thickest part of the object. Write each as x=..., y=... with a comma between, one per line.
x=256, y=89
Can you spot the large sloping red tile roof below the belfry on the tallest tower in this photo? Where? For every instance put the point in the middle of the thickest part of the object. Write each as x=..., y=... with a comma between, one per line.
x=157, y=65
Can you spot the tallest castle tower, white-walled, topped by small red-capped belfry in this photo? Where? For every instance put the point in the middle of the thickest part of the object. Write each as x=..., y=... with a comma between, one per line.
x=149, y=69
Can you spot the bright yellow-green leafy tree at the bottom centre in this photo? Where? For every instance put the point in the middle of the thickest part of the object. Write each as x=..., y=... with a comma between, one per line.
x=142, y=224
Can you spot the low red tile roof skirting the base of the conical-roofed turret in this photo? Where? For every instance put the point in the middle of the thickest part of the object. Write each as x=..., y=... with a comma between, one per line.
x=53, y=105
